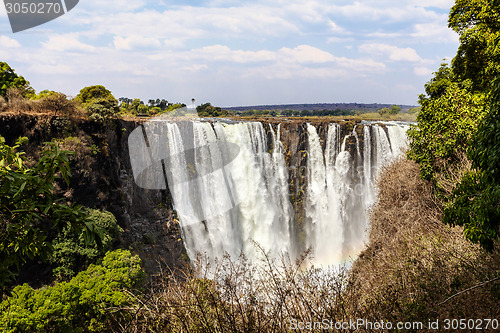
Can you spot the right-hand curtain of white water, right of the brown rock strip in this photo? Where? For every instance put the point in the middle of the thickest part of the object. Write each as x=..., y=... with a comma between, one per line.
x=341, y=188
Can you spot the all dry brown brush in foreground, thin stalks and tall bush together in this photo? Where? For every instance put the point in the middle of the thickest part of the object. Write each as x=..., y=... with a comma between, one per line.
x=413, y=269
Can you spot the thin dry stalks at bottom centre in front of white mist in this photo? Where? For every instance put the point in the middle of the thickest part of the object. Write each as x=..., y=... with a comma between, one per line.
x=241, y=297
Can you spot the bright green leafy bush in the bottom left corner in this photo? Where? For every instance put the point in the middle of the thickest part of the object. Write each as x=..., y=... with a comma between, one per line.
x=83, y=304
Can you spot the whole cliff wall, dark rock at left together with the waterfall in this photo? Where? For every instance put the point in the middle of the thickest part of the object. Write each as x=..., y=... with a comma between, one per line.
x=287, y=184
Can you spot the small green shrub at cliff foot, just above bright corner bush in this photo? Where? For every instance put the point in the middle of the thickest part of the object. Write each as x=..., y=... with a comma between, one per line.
x=71, y=253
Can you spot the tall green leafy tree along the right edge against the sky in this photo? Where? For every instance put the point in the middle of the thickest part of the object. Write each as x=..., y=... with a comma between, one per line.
x=457, y=139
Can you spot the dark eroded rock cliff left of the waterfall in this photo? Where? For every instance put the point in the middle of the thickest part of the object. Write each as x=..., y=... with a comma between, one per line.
x=102, y=178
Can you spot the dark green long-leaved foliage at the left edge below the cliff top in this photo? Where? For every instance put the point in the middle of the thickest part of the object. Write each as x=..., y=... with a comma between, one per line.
x=30, y=212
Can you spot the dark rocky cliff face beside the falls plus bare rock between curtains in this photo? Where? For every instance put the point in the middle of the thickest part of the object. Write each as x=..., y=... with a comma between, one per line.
x=102, y=176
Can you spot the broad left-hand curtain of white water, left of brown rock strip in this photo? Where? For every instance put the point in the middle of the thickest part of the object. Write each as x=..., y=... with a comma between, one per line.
x=246, y=200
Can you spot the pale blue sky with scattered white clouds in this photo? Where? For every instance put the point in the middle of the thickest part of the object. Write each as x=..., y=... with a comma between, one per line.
x=233, y=53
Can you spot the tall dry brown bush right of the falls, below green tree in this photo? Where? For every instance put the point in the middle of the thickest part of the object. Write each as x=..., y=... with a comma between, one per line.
x=414, y=262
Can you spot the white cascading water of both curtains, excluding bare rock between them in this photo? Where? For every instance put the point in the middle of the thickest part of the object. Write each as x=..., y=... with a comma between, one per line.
x=229, y=205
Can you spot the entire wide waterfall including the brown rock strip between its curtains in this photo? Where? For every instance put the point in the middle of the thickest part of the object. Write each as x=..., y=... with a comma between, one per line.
x=286, y=186
